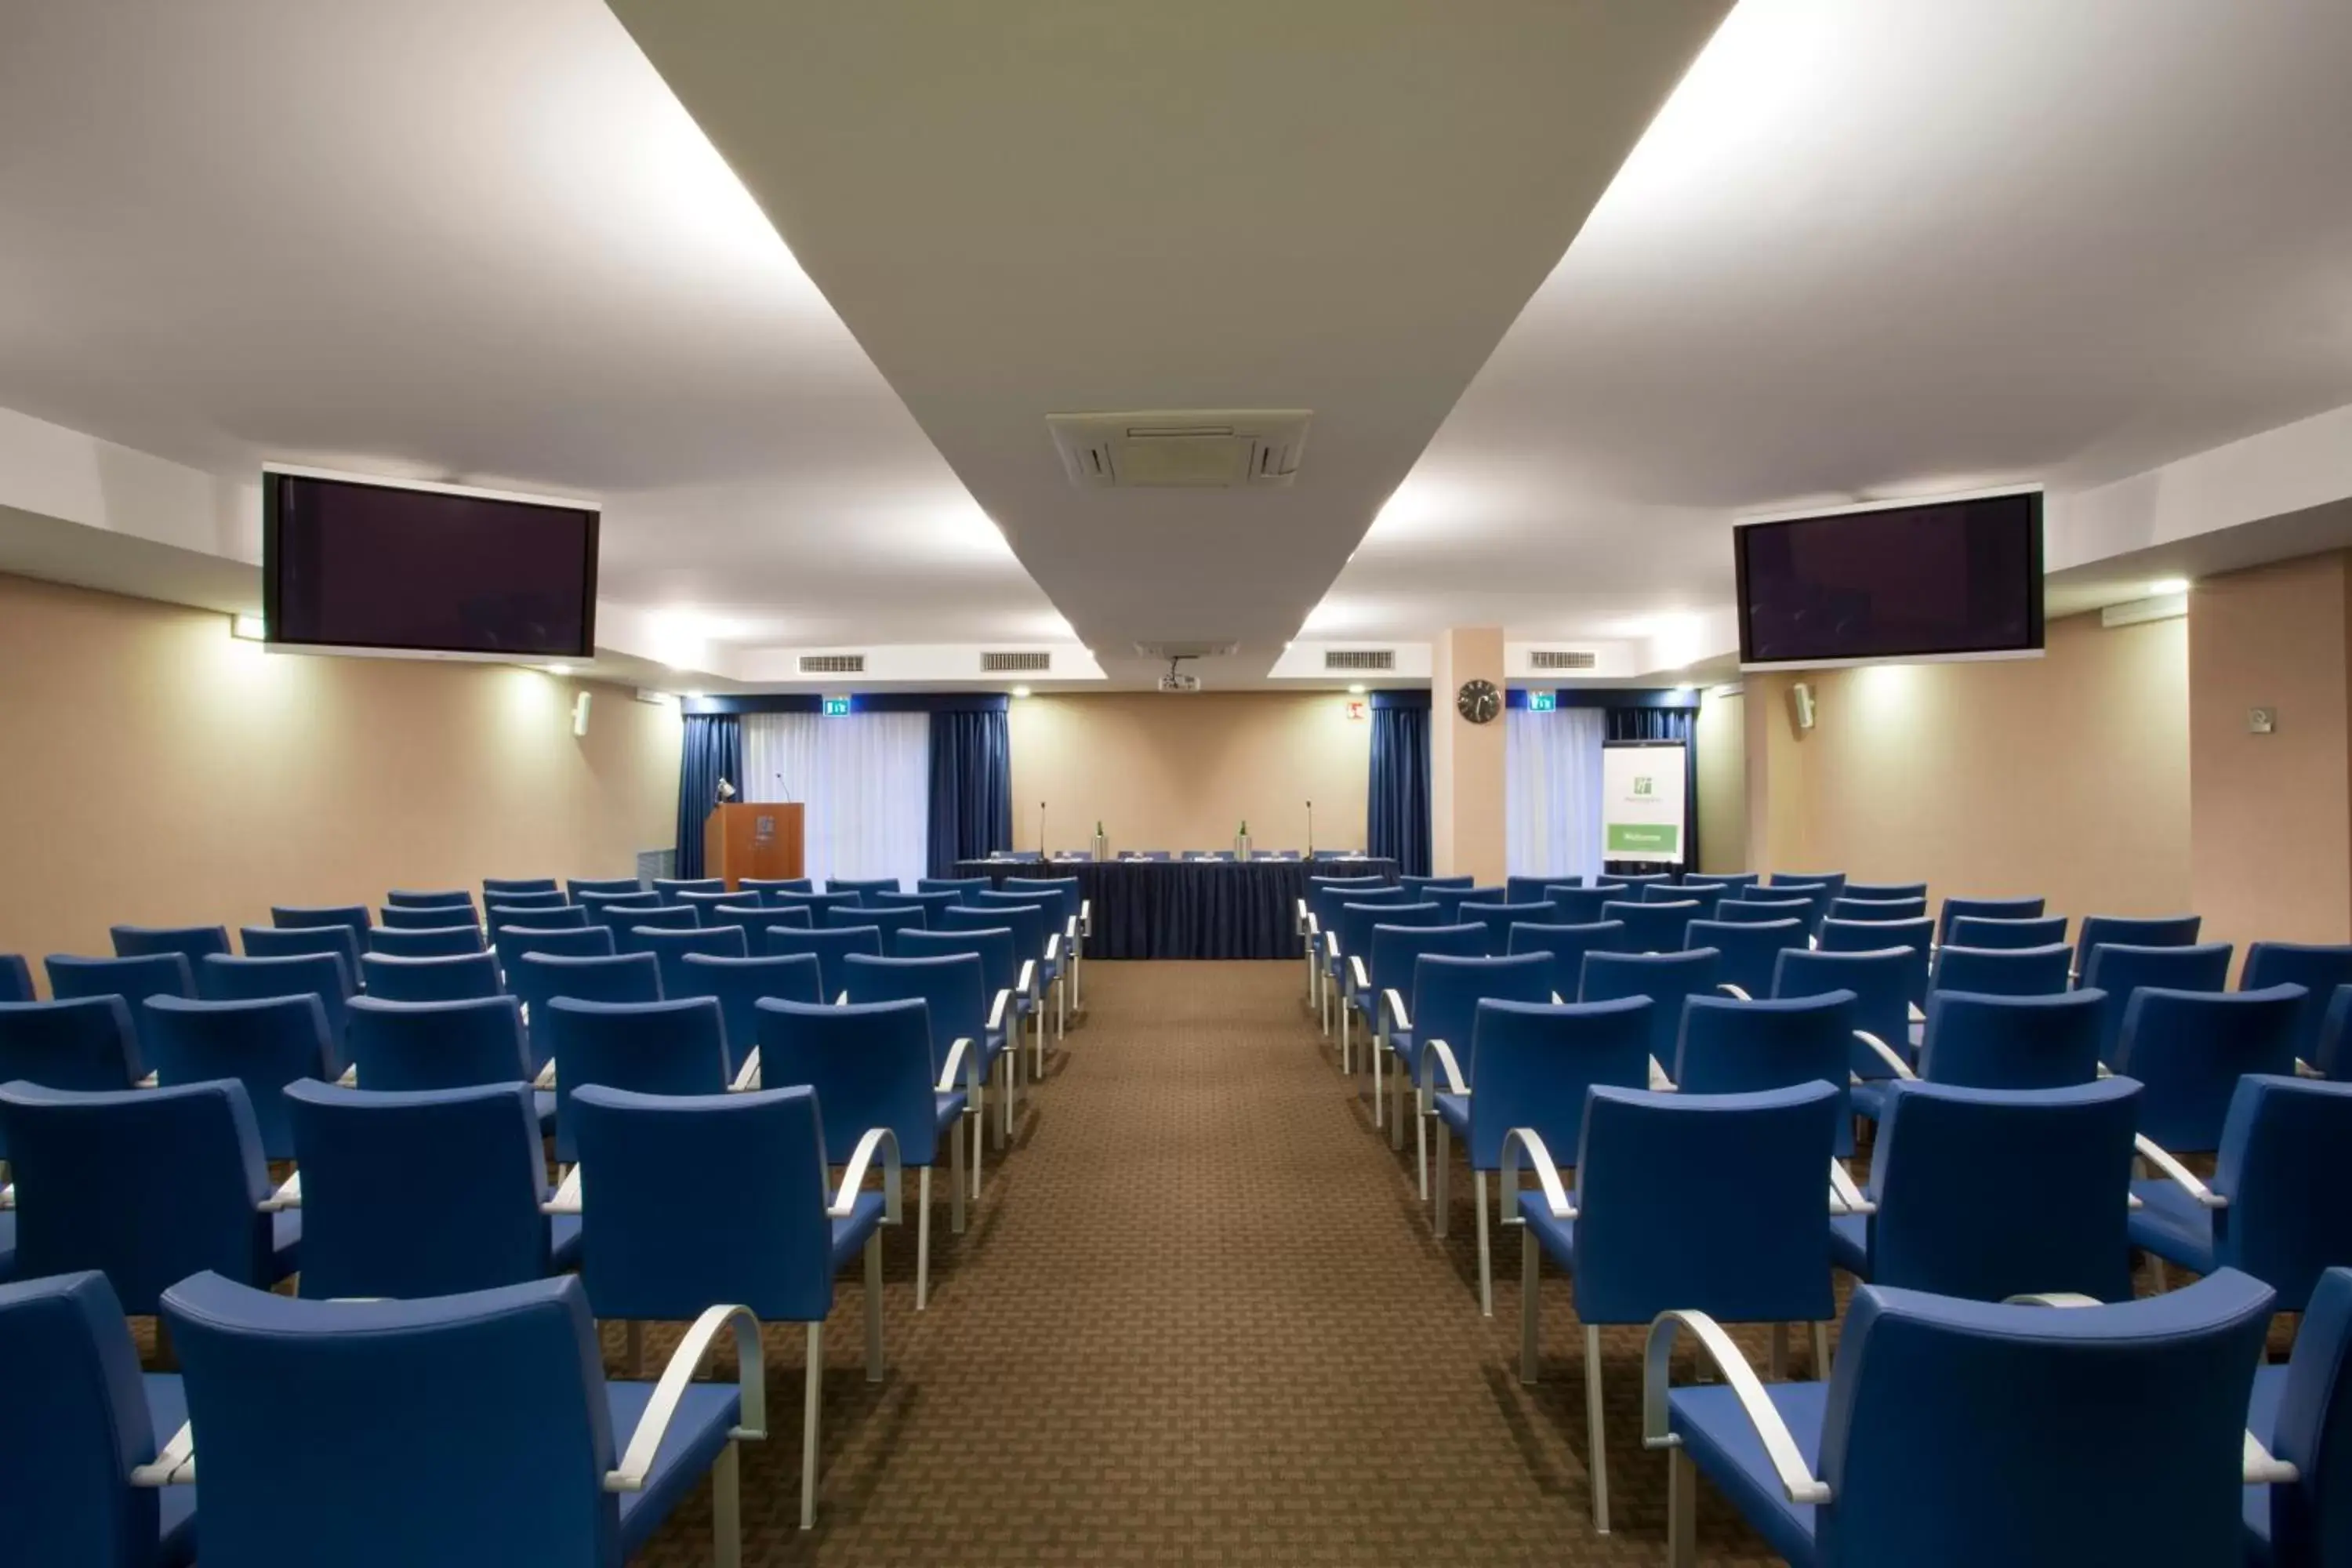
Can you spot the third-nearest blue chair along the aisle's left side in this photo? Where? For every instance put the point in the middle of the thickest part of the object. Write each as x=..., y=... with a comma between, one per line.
x=871, y=1068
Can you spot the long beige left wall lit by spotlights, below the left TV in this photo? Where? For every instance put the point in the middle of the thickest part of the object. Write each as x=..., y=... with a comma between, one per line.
x=159, y=772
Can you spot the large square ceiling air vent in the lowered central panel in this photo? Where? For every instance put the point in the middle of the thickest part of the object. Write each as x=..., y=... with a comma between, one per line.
x=1182, y=448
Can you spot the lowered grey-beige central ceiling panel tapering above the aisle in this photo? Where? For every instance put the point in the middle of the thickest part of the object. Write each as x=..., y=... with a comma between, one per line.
x=1031, y=208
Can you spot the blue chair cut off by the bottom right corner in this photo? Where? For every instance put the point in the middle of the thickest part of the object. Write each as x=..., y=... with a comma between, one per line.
x=2304, y=1416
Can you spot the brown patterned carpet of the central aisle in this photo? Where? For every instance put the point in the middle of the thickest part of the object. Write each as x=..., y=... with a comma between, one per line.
x=1201, y=1320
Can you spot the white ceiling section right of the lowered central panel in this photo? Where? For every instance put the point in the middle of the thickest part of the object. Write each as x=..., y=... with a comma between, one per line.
x=1892, y=248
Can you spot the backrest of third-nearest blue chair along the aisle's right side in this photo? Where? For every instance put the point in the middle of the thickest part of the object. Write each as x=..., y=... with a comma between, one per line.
x=1535, y=1061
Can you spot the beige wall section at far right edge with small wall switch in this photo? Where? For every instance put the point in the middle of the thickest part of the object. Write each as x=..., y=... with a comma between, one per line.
x=2273, y=815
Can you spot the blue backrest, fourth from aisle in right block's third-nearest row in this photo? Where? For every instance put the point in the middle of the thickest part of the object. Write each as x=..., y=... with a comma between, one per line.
x=2191, y=1050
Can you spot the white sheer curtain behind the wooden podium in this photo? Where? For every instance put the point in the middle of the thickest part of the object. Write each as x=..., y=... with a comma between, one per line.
x=864, y=782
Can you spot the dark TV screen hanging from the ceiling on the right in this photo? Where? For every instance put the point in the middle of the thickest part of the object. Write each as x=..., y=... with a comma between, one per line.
x=1909, y=582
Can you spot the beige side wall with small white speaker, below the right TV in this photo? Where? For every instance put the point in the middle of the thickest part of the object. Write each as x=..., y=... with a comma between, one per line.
x=2064, y=777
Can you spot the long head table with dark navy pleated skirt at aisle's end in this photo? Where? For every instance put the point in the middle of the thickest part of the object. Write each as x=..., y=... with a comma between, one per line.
x=1189, y=909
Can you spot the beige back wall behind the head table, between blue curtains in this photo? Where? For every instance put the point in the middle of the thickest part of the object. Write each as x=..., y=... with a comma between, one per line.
x=1182, y=772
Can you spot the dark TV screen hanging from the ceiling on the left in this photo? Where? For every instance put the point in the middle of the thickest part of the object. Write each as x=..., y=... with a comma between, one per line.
x=359, y=565
